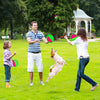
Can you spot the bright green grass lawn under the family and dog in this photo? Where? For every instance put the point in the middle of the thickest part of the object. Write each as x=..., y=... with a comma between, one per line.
x=59, y=87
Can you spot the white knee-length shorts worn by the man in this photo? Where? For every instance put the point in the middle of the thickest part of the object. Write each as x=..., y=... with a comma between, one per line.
x=34, y=58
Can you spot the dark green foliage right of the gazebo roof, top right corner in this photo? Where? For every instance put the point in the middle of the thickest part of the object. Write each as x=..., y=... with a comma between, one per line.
x=92, y=8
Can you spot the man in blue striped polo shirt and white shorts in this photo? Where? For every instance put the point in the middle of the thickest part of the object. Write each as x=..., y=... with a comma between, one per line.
x=34, y=53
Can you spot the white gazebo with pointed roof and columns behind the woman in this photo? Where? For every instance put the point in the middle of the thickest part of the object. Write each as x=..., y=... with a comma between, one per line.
x=79, y=16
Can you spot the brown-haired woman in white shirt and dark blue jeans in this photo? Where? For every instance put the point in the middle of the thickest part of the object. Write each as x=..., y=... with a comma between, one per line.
x=82, y=52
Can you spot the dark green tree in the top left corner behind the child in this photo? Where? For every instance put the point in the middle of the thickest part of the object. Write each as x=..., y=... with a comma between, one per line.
x=13, y=14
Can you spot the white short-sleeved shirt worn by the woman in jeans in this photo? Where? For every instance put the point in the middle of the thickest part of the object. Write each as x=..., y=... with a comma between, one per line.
x=81, y=47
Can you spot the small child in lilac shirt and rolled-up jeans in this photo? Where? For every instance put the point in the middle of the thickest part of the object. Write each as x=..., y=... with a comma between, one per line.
x=7, y=62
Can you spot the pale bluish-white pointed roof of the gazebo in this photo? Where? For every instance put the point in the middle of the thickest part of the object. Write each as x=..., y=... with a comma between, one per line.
x=80, y=14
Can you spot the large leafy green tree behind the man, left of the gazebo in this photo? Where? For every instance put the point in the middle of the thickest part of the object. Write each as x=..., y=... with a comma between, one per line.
x=43, y=11
